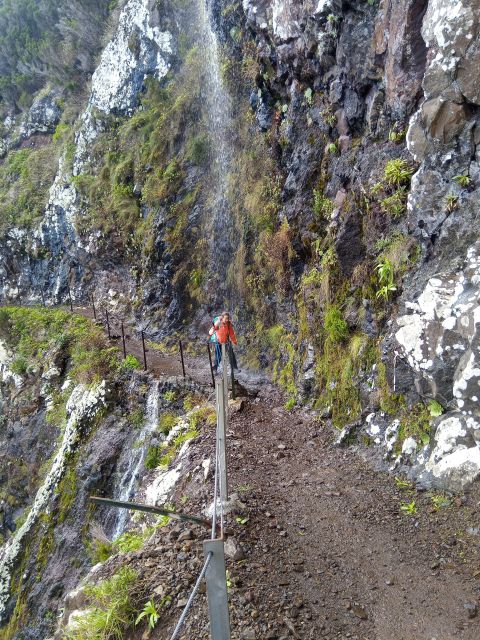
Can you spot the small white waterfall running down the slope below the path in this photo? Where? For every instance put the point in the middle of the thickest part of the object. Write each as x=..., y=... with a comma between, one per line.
x=134, y=459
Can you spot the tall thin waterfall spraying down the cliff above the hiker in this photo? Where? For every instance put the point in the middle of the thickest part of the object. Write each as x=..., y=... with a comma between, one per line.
x=217, y=119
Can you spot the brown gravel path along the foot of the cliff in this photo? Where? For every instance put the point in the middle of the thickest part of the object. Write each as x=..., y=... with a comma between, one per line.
x=325, y=550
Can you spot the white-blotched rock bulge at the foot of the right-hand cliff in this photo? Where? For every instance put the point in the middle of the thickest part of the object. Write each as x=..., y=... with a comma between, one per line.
x=440, y=339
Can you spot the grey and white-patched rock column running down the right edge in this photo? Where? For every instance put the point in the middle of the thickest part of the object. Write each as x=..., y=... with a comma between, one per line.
x=437, y=327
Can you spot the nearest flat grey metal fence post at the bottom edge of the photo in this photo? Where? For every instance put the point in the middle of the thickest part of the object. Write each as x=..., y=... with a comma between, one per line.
x=217, y=595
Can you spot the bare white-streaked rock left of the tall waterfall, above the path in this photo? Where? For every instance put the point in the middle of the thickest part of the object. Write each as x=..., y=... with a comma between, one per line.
x=140, y=48
